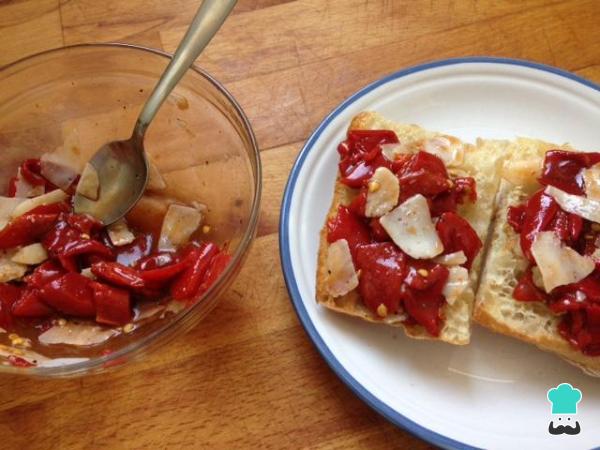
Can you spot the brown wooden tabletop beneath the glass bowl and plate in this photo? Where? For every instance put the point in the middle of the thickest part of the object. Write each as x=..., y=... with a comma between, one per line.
x=248, y=376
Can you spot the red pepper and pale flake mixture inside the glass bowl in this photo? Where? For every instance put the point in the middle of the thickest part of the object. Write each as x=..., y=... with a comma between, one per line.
x=71, y=272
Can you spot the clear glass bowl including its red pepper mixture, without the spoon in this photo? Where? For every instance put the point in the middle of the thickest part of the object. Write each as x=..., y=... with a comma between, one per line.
x=77, y=296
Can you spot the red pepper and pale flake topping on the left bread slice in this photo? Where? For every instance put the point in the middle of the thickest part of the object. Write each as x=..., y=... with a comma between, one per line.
x=402, y=229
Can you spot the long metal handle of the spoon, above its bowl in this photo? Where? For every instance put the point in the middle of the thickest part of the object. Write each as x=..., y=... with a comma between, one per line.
x=208, y=20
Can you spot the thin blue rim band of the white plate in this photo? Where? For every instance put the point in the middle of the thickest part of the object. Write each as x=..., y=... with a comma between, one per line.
x=285, y=255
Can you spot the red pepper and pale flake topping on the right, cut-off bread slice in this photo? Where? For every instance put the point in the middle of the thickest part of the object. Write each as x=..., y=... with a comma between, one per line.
x=559, y=227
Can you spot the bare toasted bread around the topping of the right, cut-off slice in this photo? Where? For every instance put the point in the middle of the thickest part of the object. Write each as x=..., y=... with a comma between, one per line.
x=495, y=306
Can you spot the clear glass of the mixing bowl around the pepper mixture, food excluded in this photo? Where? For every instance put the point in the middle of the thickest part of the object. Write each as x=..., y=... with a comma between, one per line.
x=201, y=142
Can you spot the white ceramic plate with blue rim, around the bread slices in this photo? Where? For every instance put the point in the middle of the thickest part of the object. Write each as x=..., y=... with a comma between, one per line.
x=491, y=393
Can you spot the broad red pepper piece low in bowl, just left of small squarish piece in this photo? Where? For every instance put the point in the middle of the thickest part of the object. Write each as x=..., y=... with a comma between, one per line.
x=70, y=294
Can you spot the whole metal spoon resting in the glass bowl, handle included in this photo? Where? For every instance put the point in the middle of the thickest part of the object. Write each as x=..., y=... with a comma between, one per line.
x=121, y=165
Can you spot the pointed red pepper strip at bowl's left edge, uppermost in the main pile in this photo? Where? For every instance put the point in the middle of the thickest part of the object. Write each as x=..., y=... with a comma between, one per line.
x=26, y=229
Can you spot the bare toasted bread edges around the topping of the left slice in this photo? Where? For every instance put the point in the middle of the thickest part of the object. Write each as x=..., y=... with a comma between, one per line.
x=482, y=162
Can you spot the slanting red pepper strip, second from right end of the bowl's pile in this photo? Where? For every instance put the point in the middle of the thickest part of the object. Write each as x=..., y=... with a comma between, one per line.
x=187, y=284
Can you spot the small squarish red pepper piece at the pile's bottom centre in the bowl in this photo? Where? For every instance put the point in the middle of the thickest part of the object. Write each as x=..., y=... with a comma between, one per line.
x=113, y=306
